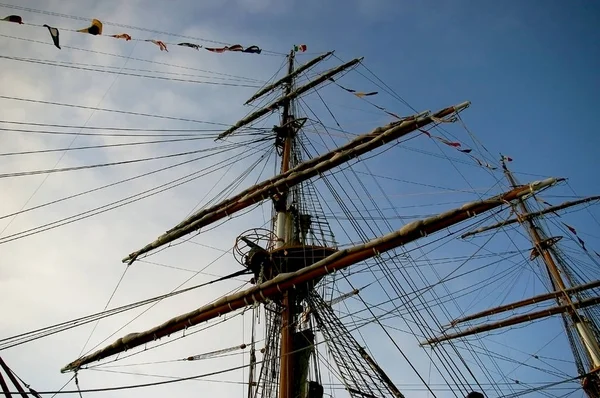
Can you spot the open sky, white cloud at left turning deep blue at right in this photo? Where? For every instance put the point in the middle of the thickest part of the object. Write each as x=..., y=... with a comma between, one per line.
x=528, y=68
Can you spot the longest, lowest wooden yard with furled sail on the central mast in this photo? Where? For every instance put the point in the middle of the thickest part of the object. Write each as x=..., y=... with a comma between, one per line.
x=273, y=288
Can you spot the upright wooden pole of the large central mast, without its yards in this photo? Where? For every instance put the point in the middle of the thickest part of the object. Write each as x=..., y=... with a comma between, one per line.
x=285, y=133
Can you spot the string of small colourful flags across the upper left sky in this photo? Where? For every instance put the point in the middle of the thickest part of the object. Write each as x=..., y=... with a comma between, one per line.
x=96, y=29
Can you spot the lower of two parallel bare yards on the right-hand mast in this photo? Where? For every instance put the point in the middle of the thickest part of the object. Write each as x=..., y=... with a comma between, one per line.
x=516, y=320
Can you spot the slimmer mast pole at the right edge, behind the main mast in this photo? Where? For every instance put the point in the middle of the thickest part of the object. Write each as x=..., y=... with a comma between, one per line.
x=554, y=268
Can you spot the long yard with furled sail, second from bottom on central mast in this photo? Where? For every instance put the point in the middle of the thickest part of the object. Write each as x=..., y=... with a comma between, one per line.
x=302, y=172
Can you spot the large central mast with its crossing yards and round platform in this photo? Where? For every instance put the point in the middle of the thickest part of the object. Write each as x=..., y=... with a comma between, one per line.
x=287, y=271
